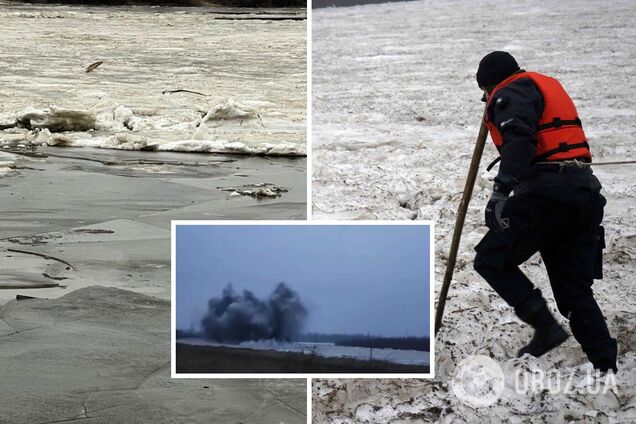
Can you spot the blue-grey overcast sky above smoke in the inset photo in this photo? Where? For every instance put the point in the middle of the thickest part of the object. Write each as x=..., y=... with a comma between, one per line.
x=352, y=278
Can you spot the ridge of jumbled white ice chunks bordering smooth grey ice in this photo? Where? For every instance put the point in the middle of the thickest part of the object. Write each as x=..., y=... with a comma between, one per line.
x=229, y=126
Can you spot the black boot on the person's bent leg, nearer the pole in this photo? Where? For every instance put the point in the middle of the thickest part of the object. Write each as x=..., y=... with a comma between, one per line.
x=548, y=333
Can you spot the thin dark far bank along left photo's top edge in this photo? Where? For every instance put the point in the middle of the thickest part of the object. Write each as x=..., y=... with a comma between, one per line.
x=187, y=3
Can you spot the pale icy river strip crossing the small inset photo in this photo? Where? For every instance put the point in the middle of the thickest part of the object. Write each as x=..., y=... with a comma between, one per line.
x=328, y=350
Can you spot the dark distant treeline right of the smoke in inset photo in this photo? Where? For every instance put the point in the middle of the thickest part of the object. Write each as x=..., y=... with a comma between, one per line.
x=361, y=340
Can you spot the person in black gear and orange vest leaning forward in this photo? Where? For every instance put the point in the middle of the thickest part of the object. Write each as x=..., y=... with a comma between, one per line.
x=555, y=210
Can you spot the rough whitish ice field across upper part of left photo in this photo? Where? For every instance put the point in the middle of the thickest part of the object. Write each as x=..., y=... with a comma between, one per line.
x=180, y=79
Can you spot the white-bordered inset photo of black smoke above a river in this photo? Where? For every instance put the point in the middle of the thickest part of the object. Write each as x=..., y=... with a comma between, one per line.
x=302, y=299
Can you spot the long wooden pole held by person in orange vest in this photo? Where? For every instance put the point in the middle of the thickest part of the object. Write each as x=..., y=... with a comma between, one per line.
x=459, y=221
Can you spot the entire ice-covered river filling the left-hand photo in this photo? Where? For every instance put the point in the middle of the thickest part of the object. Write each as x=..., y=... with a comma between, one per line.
x=94, y=166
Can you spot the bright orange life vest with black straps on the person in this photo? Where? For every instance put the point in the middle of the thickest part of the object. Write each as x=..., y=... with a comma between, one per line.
x=559, y=131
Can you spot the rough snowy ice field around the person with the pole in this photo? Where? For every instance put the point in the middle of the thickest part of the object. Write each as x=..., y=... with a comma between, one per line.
x=395, y=115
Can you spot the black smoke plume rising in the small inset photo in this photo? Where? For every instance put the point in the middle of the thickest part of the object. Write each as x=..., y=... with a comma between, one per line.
x=237, y=318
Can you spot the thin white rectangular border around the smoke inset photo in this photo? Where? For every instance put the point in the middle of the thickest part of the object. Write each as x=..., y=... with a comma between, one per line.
x=308, y=376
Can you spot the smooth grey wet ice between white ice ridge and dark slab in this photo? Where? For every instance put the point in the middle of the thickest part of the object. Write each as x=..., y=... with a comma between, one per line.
x=109, y=212
